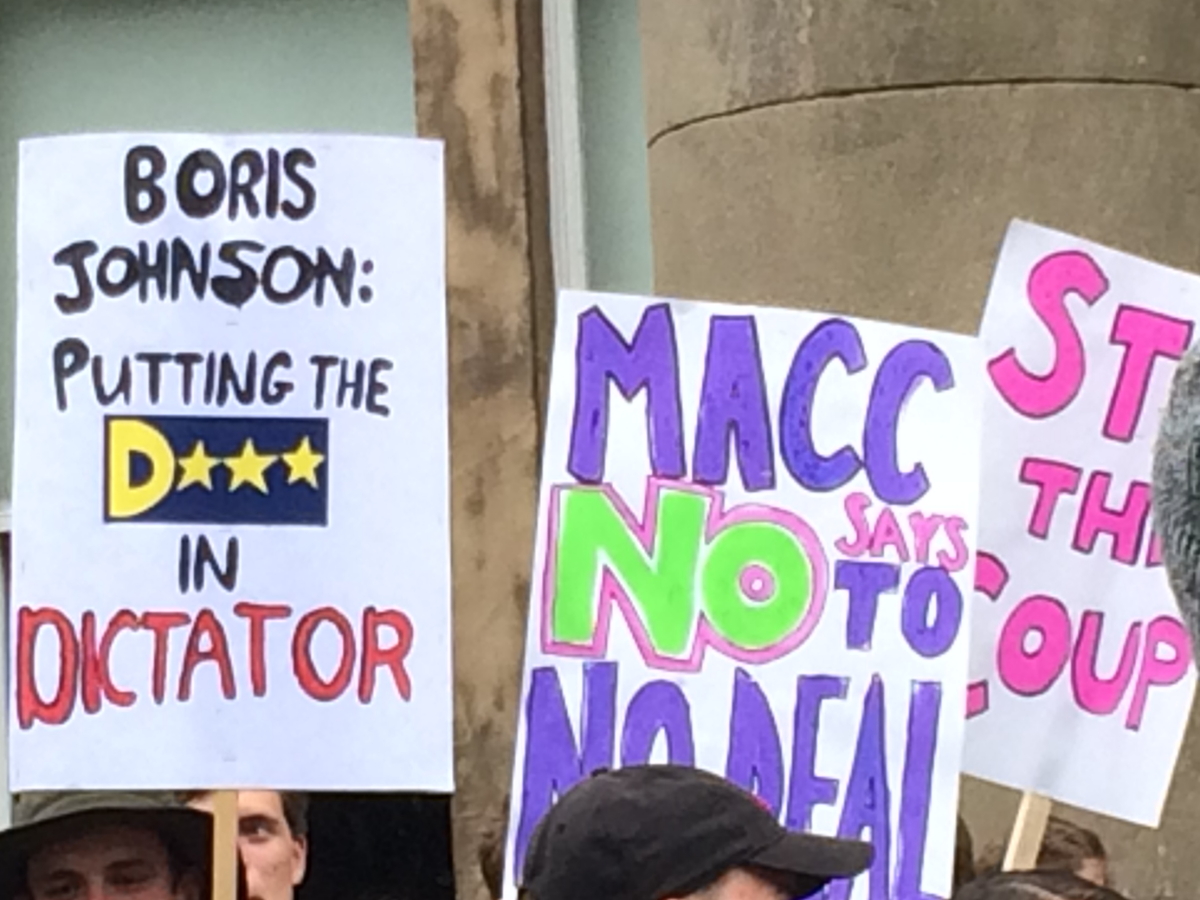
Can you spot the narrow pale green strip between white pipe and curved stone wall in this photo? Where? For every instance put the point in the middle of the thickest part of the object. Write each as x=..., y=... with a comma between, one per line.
x=615, y=161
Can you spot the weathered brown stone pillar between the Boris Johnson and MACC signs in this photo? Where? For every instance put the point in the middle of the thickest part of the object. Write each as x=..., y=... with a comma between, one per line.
x=472, y=93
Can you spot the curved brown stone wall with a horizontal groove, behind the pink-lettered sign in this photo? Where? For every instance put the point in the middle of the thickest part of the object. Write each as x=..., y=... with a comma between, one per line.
x=865, y=157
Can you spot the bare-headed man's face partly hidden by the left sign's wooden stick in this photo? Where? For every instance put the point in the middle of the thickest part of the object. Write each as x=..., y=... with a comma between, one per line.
x=274, y=857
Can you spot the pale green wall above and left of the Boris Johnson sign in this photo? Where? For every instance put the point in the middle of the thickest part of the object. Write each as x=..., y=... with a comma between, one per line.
x=189, y=65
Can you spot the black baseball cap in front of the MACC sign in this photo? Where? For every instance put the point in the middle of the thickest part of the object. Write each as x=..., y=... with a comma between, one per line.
x=655, y=832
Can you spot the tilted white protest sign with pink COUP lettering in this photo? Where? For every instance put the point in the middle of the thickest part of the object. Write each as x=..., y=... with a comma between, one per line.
x=1077, y=647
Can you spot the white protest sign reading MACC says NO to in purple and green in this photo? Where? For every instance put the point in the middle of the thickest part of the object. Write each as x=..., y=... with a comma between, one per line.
x=755, y=545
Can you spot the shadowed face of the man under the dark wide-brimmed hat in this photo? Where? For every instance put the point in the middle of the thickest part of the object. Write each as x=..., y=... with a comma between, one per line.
x=112, y=863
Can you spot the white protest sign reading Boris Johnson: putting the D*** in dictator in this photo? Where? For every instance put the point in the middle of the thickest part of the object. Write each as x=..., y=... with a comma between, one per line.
x=232, y=562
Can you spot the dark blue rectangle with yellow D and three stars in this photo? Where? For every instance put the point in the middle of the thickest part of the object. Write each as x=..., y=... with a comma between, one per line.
x=217, y=471
